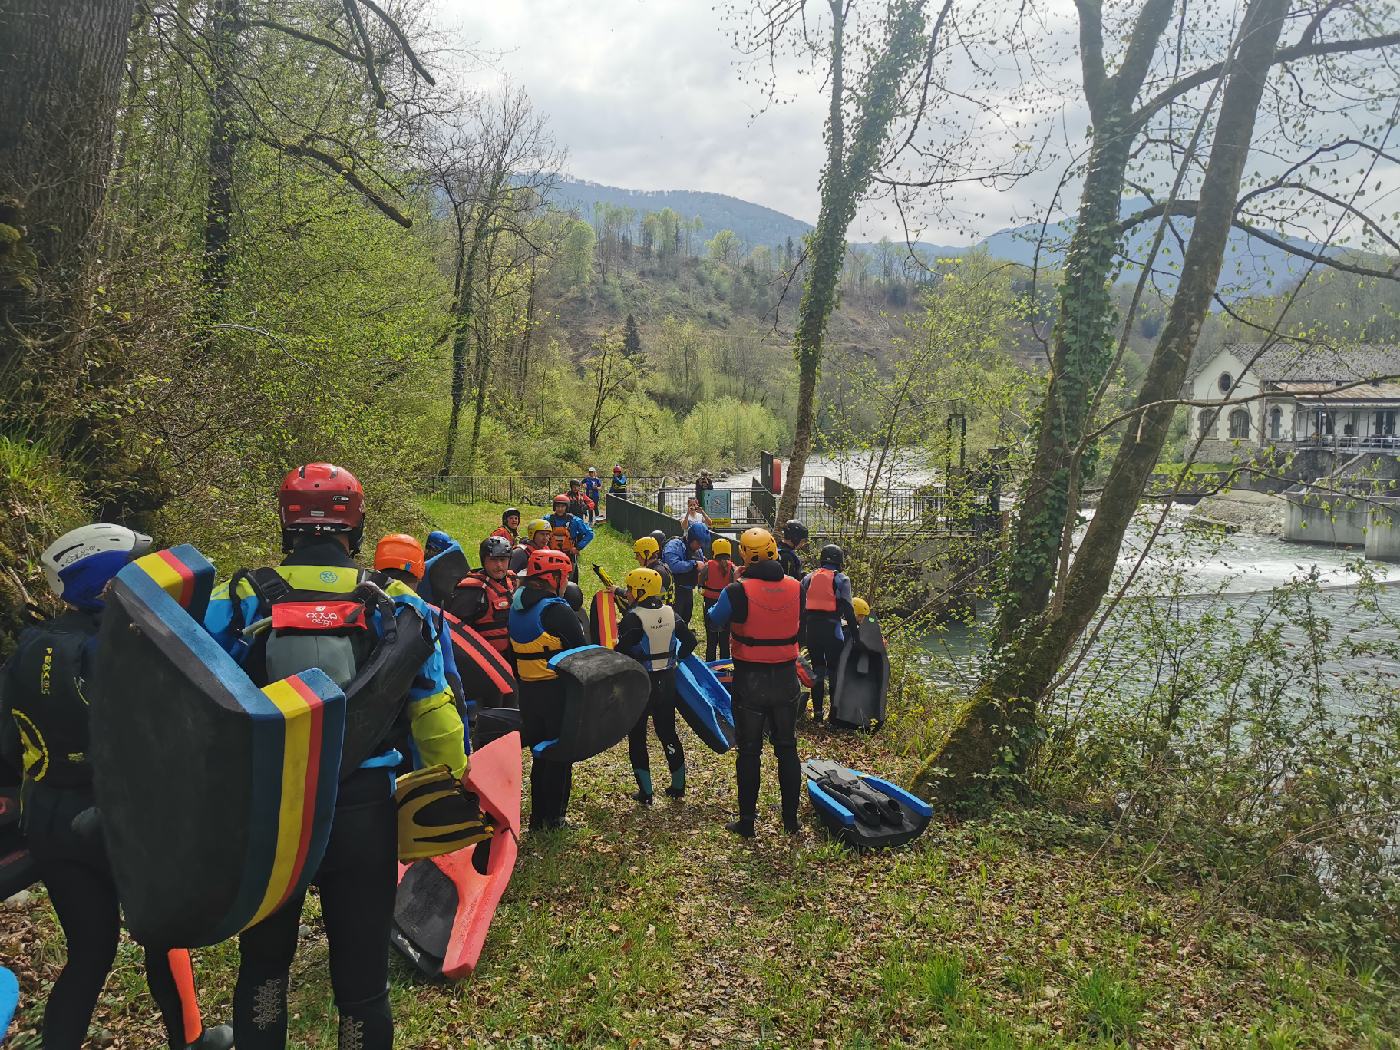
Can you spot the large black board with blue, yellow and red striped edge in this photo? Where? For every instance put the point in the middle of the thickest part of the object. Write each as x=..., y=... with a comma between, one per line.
x=216, y=796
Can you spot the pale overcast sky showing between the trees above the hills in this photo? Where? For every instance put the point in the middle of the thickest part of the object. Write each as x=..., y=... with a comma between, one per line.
x=646, y=94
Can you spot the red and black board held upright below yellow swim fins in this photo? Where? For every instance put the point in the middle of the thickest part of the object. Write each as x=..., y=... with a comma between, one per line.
x=496, y=779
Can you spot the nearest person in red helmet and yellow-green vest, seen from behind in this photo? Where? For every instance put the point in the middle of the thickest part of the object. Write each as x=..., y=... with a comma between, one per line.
x=321, y=507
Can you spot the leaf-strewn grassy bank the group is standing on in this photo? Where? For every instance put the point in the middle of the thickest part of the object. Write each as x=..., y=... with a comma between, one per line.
x=656, y=927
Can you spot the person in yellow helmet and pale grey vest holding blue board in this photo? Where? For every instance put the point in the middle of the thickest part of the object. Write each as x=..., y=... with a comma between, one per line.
x=650, y=633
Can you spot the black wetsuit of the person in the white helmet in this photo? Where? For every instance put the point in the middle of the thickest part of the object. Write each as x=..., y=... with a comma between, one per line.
x=44, y=731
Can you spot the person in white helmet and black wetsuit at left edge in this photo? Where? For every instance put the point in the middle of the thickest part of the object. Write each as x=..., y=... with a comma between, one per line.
x=44, y=731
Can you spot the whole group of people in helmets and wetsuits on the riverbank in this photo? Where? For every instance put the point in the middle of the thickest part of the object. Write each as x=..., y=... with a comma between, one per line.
x=521, y=600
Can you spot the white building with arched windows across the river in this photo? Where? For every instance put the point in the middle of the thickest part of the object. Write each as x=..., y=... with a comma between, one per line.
x=1293, y=397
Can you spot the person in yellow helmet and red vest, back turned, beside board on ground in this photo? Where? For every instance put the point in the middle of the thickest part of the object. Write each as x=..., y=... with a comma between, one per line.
x=765, y=615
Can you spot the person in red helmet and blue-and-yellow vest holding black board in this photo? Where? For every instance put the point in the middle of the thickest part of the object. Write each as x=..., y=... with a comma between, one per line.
x=542, y=625
